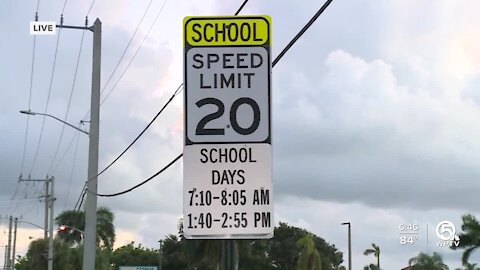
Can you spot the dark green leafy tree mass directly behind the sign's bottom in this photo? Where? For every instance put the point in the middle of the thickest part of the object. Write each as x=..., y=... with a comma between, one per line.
x=282, y=252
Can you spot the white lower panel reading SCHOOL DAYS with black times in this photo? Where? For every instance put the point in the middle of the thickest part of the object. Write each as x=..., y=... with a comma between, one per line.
x=231, y=192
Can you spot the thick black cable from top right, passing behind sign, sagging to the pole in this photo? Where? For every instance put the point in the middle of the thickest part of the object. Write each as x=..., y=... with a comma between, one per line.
x=290, y=44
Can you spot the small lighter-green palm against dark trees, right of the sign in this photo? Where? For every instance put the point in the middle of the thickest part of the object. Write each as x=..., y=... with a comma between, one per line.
x=309, y=258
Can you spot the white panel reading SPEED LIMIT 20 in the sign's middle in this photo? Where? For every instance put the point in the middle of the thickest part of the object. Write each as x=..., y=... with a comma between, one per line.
x=232, y=101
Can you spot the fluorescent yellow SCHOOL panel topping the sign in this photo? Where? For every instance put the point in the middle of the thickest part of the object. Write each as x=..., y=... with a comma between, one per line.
x=227, y=31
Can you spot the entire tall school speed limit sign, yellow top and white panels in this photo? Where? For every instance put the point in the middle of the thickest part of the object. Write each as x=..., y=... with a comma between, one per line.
x=227, y=150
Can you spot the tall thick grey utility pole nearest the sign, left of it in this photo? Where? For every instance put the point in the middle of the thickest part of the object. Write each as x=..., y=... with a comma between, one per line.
x=89, y=247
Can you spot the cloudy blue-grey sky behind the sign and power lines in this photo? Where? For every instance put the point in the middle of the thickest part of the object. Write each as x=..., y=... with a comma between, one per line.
x=376, y=117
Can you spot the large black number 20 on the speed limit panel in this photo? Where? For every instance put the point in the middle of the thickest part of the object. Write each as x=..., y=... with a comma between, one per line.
x=201, y=130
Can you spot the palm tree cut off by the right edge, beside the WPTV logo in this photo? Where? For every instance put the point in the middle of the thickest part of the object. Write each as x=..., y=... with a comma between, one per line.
x=470, y=237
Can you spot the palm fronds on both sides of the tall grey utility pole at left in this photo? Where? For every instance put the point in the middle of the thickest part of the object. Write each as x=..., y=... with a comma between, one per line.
x=76, y=219
